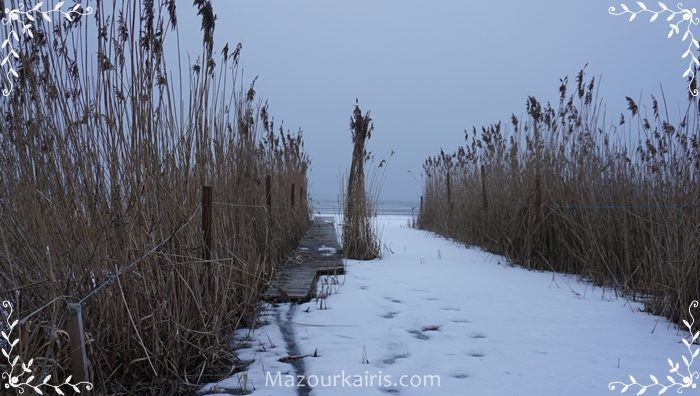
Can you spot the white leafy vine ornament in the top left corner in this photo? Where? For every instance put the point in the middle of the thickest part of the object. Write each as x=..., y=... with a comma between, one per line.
x=19, y=22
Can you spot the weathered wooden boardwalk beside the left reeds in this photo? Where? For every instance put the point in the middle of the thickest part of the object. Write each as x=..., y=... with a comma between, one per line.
x=318, y=254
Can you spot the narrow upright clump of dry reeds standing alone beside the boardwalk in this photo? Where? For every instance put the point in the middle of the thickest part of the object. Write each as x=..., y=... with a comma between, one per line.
x=359, y=240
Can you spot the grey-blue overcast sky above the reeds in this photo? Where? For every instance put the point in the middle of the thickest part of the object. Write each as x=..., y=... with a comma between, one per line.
x=427, y=70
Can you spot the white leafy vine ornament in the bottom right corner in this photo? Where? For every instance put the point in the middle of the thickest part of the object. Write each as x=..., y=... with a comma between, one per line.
x=686, y=375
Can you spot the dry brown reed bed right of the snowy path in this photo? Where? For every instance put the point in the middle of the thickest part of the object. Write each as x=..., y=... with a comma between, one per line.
x=558, y=190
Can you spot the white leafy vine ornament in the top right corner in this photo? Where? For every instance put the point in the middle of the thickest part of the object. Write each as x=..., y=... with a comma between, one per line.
x=686, y=20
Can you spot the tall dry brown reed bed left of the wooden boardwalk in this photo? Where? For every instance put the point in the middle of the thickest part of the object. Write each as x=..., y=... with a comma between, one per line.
x=101, y=175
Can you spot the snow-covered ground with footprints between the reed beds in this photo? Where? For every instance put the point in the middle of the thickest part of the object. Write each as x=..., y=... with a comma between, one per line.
x=434, y=307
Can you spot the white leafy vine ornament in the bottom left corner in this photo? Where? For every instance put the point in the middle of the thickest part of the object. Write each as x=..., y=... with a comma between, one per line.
x=17, y=380
